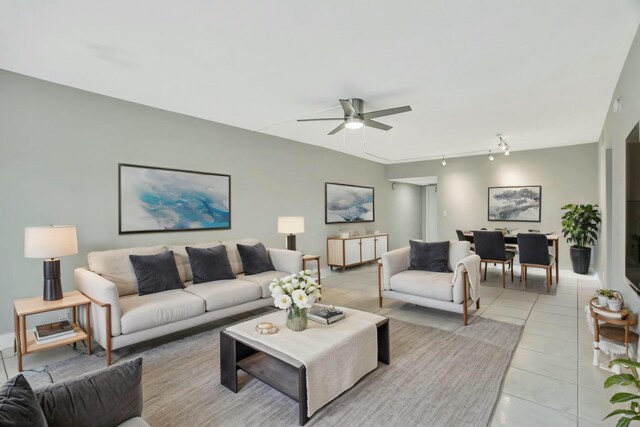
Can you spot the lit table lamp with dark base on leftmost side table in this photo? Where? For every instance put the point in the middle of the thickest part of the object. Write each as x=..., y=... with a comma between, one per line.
x=50, y=242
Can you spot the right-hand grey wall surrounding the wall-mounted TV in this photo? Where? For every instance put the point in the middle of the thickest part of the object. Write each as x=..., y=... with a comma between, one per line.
x=612, y=182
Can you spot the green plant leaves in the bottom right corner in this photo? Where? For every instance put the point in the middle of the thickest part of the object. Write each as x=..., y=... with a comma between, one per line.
x=632, y=379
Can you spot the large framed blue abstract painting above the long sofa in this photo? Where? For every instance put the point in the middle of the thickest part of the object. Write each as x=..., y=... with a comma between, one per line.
x=157, y=199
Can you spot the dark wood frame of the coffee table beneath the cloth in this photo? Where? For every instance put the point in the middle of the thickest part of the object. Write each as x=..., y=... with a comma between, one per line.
x=290, y=380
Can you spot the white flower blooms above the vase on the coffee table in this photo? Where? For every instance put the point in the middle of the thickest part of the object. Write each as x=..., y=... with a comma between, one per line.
x=299, y=291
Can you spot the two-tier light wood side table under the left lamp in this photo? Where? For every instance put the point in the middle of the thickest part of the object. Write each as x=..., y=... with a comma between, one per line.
x=27, y=344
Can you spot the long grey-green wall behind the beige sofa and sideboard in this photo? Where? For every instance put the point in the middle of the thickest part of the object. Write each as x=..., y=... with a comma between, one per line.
x=58, y=165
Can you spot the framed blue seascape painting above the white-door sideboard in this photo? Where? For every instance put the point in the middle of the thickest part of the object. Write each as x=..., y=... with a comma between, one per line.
x=348, y=203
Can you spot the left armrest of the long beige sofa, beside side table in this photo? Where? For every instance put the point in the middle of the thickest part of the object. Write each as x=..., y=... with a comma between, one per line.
x=102, y=292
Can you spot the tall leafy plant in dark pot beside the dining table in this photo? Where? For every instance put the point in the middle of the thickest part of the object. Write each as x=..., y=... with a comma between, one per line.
x=580, y=225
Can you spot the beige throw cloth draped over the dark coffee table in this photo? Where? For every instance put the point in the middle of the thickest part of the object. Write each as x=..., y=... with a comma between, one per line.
x=336, y=356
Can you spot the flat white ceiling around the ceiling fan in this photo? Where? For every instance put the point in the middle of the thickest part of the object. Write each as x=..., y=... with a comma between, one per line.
x=541, y=72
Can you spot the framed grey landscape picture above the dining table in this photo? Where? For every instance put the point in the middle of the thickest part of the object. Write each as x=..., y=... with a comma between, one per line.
x=515, y=203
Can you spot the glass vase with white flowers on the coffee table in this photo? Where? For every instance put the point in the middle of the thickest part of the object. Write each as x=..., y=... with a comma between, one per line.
x=295, y=294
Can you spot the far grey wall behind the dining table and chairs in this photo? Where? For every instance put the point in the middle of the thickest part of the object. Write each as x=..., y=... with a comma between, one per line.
x=566, y=174
